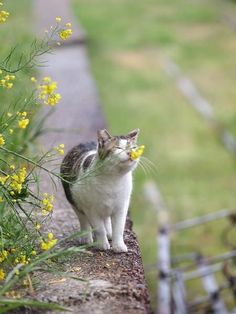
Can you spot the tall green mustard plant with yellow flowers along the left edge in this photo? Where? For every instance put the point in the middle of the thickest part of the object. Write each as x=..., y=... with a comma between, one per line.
x=25, y=242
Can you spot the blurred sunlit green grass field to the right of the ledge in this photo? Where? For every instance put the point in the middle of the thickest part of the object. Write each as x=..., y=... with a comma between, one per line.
x=128, y=42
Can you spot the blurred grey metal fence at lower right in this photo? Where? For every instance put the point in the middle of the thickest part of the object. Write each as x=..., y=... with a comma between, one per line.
x=173, y=278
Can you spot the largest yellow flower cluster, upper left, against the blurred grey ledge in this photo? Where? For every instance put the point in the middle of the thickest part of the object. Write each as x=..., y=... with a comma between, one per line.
x=47, y=92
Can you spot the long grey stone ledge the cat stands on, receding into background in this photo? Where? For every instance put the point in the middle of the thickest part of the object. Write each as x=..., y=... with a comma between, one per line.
x=114, y=283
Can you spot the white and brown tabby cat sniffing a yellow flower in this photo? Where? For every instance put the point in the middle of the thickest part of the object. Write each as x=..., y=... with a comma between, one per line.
x=98, y=185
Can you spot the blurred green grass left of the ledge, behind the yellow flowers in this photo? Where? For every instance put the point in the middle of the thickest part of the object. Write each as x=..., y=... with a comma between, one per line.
x=18, y=42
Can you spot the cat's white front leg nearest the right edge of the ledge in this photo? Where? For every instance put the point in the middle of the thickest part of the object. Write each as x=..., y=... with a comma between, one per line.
x=118, y=220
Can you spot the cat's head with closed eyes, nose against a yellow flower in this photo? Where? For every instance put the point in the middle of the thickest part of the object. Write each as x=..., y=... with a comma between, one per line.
x=116, y=151
